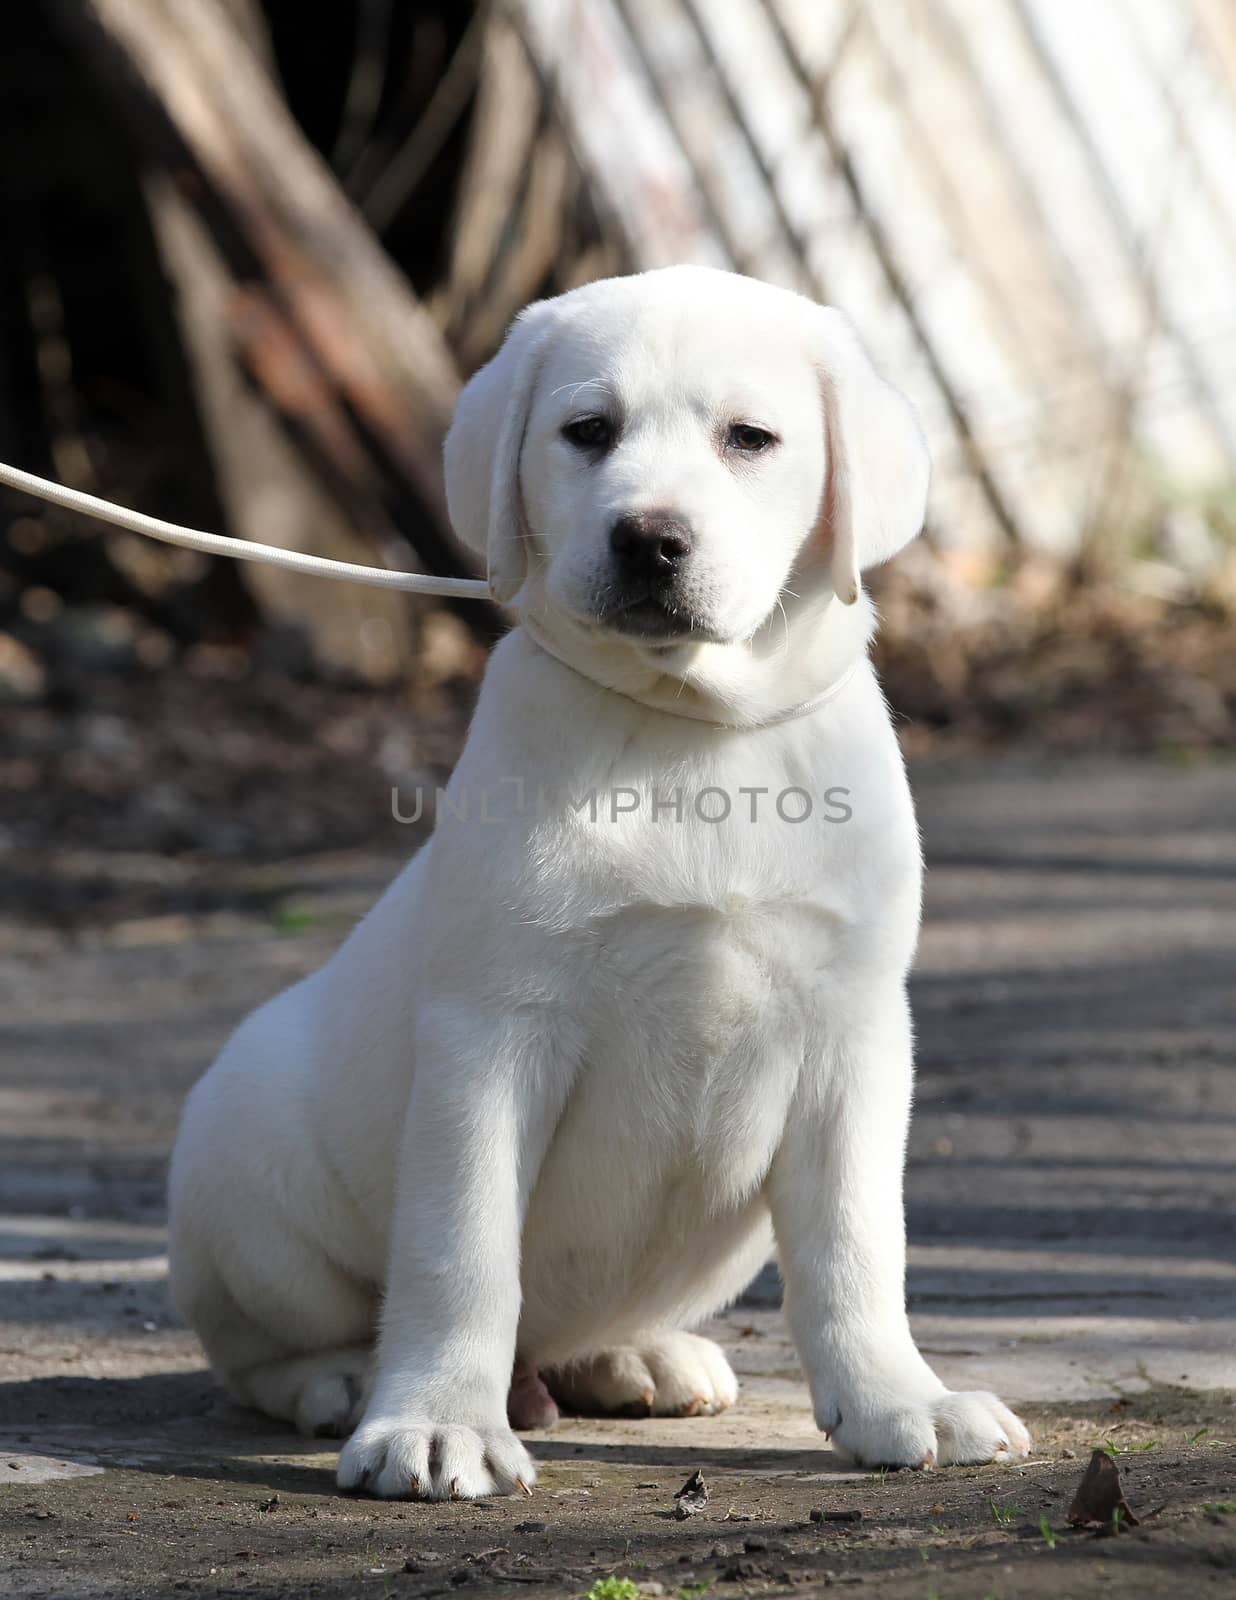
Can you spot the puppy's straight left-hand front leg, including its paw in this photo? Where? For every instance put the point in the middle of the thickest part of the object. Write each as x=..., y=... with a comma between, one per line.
x=480, y=1119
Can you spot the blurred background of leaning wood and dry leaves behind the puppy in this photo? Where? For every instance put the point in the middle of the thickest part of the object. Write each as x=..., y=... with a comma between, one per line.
x=249, y=263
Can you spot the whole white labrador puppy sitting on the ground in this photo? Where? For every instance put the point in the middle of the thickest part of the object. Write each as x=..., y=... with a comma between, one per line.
x=638, y=1010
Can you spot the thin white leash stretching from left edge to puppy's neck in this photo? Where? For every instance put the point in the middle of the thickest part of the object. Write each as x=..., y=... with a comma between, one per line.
x=243, y=550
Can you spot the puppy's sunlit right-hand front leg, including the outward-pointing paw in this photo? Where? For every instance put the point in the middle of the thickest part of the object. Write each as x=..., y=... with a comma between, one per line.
x=840, y=1218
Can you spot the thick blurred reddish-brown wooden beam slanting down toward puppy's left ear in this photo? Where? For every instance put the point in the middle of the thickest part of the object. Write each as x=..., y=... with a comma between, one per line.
x=329, y=330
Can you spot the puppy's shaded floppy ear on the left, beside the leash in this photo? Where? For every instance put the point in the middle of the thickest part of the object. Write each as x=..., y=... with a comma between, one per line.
x=483, y=450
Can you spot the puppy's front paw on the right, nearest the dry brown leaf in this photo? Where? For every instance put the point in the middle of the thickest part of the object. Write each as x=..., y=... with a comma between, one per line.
x=939, y=1431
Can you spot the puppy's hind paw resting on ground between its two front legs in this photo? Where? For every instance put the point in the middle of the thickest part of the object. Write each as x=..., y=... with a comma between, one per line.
x=665, y=1375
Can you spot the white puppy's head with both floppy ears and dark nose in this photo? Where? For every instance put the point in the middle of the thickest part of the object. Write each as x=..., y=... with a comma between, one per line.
x=662, y=458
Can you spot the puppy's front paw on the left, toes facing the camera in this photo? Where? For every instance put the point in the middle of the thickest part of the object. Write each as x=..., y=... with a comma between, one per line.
x=414, y=1460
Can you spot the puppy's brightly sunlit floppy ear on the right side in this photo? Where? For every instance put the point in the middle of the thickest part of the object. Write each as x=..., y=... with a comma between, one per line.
x=878, y=465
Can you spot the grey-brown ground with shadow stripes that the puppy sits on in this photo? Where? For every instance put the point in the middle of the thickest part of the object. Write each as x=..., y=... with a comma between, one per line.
x=1070, y=1201
